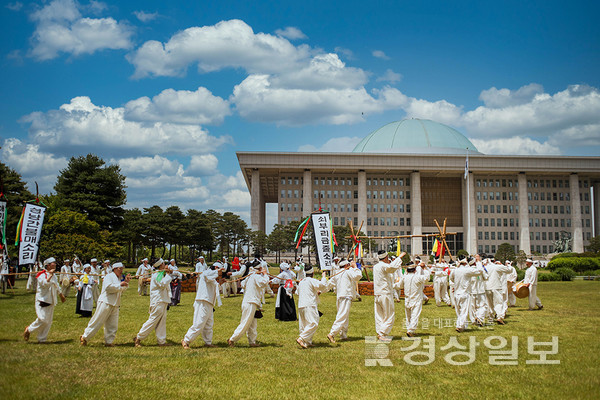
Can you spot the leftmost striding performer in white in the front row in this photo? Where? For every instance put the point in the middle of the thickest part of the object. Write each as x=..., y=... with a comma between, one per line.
x=45, y=300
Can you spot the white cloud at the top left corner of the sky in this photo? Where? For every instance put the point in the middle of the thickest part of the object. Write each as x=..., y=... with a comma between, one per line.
x=60, y=28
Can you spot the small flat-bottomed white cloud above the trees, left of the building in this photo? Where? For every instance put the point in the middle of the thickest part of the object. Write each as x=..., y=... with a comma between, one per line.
x=180, y=107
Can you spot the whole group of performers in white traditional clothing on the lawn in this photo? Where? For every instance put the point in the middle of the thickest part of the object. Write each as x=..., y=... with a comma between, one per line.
x=478, y=288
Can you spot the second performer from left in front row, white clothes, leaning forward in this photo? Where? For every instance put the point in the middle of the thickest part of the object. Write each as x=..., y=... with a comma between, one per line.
x=107, y=311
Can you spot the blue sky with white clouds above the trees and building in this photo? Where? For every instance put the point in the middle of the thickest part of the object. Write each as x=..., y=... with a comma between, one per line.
x=171, y=90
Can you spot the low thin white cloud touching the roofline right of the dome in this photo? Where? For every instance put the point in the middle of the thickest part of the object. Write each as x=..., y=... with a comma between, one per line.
x=515, y=146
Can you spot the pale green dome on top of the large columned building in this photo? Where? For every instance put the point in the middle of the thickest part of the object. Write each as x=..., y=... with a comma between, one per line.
x=420, y=136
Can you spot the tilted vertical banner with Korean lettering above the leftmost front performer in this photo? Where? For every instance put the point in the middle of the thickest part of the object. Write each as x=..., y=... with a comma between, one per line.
x=31, y=230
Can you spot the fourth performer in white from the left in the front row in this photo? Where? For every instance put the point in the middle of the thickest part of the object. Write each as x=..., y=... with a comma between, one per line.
x=206, y=295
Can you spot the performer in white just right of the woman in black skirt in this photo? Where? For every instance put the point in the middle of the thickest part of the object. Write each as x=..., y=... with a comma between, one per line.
x=309, y=290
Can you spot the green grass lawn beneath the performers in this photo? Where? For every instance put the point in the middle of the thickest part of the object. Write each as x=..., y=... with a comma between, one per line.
x=280, y=369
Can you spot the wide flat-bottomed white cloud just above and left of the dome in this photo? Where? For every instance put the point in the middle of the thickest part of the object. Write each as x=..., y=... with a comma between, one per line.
x=257, y=100
